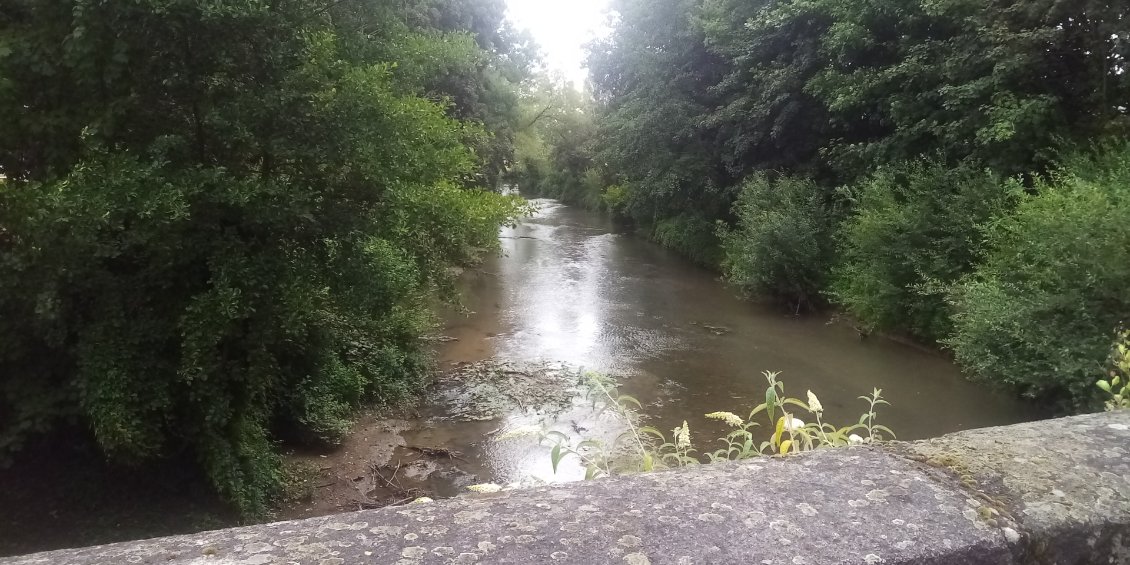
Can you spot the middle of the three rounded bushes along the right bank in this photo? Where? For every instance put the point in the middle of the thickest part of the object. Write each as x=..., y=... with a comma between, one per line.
x=917, y=229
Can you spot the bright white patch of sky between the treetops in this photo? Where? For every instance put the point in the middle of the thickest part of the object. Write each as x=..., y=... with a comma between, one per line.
x=562, y=29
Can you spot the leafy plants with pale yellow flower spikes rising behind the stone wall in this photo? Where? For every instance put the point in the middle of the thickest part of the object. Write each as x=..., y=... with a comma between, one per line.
x=645, y=449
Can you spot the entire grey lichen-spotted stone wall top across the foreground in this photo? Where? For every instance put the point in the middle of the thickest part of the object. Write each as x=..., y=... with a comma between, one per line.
x=1054, y=492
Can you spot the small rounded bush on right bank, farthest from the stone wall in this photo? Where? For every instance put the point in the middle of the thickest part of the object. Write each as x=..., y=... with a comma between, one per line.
x=781, y=247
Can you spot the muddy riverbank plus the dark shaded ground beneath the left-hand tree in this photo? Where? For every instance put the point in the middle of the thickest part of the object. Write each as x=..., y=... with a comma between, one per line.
x=69, y=497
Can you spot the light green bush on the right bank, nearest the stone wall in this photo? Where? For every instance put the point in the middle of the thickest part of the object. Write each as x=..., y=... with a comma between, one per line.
x=1039, y=314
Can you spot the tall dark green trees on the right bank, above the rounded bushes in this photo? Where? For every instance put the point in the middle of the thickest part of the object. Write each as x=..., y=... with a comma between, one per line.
x=697, y=95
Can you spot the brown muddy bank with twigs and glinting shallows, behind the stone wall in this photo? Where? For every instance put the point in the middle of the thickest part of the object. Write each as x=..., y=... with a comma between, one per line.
x=456, y=440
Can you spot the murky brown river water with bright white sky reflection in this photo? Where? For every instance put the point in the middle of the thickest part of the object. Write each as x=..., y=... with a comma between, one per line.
x=569, y=289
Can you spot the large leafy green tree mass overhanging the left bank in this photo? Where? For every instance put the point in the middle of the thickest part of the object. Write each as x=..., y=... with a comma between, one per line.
x=225, y=220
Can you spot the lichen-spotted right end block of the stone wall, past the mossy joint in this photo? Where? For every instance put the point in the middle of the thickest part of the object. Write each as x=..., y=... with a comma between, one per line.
x=1065, y=482
